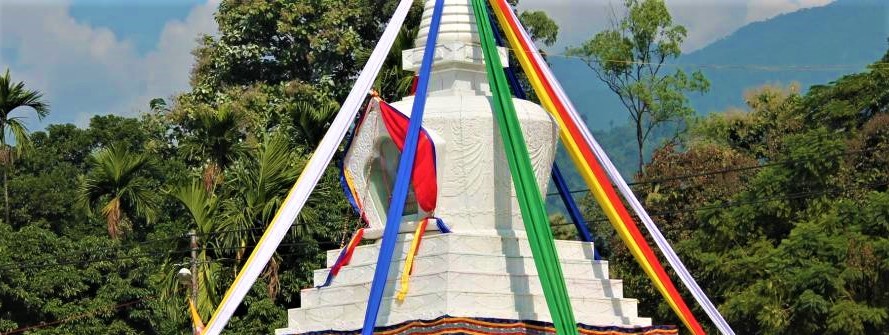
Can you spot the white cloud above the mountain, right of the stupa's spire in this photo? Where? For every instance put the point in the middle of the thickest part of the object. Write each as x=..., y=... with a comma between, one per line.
x=706, y=21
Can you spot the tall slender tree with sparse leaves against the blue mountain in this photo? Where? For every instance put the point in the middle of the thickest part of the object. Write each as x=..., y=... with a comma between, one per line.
x=630, y=58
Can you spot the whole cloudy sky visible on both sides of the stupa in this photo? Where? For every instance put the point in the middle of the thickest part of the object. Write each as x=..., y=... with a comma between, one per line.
x=113, y=56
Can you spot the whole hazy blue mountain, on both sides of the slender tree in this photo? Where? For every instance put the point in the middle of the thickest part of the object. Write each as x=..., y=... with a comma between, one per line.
x=810, y=46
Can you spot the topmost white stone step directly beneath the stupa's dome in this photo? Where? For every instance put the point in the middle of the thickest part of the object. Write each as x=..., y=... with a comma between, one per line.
x=469, y=244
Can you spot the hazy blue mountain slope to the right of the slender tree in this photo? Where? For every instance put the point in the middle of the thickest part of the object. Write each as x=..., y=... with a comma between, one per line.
x=810, y=46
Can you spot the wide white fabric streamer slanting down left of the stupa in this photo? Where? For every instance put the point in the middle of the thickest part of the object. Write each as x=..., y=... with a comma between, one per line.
x=307, y=181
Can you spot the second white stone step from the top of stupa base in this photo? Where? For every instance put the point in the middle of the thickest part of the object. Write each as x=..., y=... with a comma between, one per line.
x=467, y=263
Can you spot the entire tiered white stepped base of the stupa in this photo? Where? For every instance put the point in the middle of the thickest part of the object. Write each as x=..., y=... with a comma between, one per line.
x=463, y=275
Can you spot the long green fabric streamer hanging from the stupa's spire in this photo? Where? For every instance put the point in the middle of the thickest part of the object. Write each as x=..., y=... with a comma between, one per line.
x=543, y=247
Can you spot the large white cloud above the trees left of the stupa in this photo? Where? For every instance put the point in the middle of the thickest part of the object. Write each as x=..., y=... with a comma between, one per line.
x=85, y=70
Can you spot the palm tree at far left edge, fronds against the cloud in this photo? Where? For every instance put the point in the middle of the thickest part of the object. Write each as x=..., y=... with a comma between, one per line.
x=13, y=96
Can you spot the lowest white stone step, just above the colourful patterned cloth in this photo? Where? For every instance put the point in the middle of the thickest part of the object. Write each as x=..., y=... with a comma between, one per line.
x=427, y=306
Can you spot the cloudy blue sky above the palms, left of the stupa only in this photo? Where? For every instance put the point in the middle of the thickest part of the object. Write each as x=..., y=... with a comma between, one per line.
x=100, y=56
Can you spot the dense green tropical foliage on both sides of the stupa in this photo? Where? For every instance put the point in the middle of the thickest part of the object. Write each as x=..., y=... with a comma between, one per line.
x=98, y=215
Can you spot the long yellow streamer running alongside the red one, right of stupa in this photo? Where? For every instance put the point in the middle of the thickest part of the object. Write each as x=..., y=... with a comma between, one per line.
x=582, y=165
